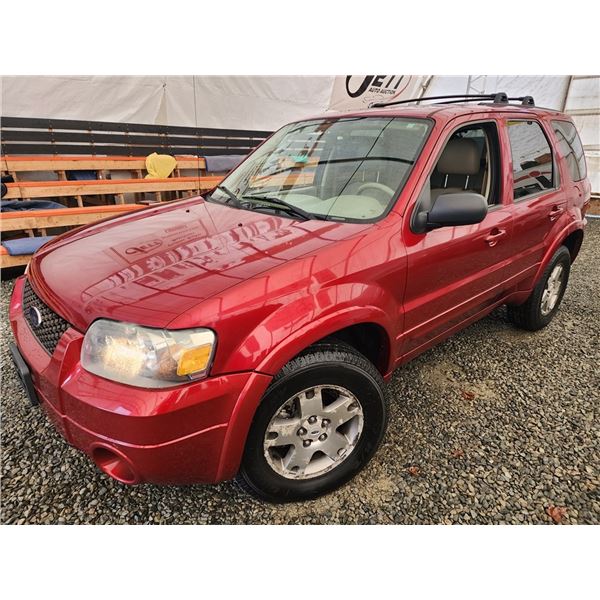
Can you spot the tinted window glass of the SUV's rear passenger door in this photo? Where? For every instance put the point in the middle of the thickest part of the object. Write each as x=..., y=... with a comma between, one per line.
x=533, y=167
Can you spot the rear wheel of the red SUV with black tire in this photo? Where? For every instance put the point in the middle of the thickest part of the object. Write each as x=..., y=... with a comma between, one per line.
x=531, y=315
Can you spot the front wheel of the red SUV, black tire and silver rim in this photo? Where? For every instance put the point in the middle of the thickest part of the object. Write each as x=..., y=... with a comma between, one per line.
x=340, y=379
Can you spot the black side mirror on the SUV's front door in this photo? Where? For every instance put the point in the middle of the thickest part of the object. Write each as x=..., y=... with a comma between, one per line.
x=450, y=210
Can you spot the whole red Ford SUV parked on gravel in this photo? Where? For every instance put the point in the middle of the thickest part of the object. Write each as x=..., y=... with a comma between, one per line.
x=248, y=333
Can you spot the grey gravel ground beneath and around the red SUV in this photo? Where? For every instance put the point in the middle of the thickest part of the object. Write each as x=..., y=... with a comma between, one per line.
x=495, y=425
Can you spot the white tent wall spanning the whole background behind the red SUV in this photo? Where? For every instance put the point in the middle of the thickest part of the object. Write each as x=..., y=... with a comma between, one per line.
x=268, y=102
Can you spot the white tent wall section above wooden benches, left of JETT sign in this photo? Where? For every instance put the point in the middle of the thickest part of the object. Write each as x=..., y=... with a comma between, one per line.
x=237, y=102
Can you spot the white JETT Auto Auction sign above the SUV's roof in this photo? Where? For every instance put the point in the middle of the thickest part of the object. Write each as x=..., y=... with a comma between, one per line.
x=358, y=91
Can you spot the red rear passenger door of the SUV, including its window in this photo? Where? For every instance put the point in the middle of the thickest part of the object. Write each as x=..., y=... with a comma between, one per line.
x=538, y=202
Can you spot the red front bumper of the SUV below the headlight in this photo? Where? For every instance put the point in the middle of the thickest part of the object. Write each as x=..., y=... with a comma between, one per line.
x=185, y=434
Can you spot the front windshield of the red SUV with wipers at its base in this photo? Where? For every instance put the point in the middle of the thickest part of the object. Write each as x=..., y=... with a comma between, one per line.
x=344, y=169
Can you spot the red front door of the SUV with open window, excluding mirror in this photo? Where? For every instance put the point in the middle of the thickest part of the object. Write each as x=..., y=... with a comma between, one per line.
x=455, y=273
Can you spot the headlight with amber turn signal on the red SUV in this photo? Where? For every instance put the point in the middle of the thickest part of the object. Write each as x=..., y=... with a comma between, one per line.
x=145, y=357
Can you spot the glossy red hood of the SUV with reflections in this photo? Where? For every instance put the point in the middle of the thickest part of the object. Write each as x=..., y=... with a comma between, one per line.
x=151, y=266
